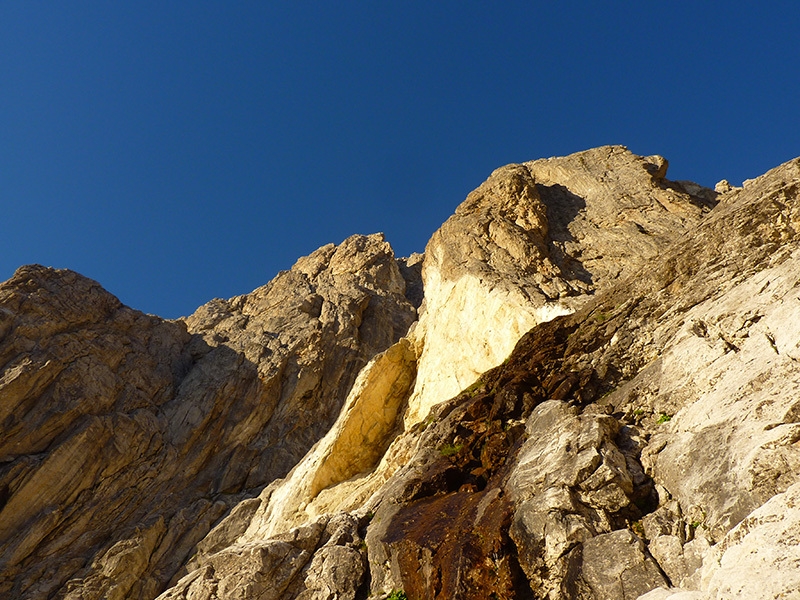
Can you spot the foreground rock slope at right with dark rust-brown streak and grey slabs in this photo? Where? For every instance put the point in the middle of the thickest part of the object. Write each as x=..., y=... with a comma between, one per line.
x=601, y=393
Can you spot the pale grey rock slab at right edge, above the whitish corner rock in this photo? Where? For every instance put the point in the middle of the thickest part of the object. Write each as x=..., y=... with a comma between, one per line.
x=717, y=464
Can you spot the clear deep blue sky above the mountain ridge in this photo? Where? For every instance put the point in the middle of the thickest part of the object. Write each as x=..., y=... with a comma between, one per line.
x=180, y=151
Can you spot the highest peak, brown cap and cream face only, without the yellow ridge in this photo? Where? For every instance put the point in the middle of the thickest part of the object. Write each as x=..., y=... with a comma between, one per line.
x=533, y=242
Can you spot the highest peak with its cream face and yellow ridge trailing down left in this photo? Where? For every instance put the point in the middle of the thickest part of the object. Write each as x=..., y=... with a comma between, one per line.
x=490, y=274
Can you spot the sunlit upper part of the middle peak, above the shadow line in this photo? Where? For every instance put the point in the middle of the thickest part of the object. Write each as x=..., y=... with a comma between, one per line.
x=353, y=289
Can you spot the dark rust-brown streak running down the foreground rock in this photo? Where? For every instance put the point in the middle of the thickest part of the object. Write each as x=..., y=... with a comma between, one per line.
x=450, y=538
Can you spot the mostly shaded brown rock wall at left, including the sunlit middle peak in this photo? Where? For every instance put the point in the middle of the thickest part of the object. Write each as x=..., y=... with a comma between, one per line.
x=126, y=437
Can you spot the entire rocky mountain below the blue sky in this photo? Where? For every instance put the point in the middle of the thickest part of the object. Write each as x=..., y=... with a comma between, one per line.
x=588, y=387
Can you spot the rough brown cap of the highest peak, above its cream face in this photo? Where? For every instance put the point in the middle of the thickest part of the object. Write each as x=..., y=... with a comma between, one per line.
x=546, y=218
